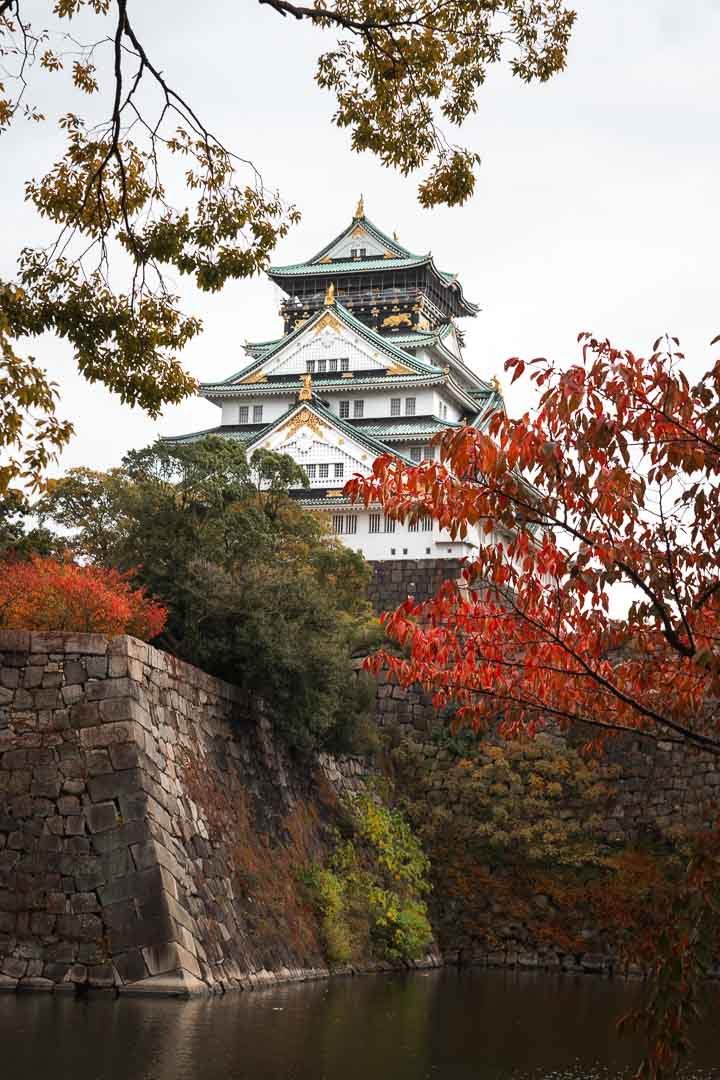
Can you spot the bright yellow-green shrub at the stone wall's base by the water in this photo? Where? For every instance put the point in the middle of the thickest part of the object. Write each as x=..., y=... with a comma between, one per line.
x=371, y=894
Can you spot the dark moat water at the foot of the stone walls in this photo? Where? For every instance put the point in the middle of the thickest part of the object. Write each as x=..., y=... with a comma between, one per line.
x=441, y=1027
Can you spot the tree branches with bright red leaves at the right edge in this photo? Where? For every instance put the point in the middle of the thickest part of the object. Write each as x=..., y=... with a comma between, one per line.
x=612, y=491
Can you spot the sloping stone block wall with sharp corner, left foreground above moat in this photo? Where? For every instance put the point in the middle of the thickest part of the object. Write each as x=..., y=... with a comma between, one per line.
x=152, y=829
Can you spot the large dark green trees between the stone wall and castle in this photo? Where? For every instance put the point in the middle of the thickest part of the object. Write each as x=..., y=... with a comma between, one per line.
x=259, y=593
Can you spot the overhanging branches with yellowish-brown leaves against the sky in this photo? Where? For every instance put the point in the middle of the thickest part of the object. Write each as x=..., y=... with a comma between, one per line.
x=399, y=72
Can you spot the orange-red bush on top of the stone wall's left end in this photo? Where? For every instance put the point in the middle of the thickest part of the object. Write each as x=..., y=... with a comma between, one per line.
x=49, y=595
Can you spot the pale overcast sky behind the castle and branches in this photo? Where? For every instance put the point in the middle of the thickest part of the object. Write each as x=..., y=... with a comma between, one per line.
x=597, y=205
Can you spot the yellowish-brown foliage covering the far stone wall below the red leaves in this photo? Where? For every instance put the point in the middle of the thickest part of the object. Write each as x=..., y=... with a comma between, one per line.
x=514, y=804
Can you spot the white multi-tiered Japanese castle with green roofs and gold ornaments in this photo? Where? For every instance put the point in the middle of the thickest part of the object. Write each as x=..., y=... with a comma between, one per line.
x=370, y=363
